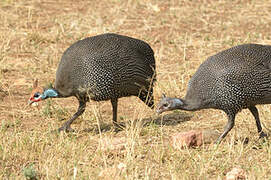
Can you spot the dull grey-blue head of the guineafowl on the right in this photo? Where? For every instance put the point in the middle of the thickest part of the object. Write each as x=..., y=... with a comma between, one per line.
x=168, y=104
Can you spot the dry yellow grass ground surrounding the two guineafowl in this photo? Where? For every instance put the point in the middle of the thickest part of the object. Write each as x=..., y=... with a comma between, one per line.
x=183, y=34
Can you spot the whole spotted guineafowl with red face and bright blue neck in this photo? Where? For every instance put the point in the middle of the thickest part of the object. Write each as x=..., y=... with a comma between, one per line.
x=102, y=67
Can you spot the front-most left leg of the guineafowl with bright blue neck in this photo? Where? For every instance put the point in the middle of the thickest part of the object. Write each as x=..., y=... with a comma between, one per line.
x=67, y=125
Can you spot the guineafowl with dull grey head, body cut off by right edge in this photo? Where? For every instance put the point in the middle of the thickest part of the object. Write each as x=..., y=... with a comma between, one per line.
x=232, y=80
